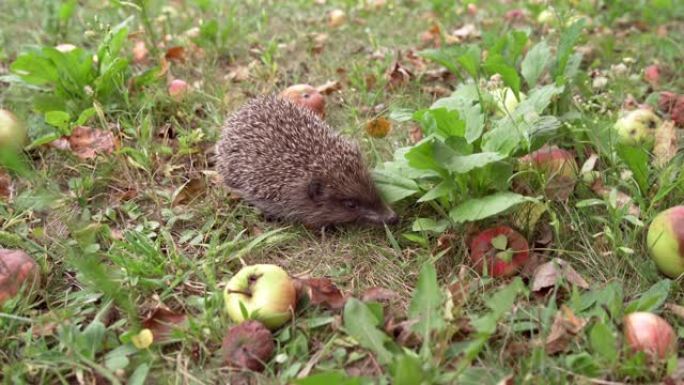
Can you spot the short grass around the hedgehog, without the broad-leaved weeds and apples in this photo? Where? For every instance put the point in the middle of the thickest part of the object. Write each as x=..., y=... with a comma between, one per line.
x=117, y=235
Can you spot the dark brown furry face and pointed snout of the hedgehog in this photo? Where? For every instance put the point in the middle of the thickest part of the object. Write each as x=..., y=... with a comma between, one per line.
x=353, y=202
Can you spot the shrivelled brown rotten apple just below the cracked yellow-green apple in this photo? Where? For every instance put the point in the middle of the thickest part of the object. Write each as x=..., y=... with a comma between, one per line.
x=248, y=345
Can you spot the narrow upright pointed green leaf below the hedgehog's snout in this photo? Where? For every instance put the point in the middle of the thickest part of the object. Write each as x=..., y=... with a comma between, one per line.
x=426, y=305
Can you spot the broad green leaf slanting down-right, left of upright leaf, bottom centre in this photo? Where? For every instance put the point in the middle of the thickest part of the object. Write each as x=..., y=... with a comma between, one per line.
x=361, y=324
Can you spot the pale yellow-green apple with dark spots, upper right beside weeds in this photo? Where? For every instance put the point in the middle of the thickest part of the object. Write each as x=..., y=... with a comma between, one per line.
x=638, y=127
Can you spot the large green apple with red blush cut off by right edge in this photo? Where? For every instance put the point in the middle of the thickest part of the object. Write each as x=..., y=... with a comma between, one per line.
x=666, y=241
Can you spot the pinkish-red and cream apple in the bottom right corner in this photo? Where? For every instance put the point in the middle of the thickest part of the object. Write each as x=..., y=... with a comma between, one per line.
x=651, y=334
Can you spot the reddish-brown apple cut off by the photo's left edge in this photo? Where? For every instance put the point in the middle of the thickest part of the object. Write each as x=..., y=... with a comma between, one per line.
x=17, y=270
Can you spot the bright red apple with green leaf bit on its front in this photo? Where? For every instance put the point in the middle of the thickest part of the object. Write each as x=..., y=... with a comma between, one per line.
x=501, y=249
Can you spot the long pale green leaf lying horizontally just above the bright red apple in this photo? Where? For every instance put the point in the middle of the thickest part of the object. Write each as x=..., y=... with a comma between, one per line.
x=479, y=208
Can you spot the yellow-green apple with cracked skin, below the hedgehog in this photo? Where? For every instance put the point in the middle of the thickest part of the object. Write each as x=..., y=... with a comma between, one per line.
x=267, y=293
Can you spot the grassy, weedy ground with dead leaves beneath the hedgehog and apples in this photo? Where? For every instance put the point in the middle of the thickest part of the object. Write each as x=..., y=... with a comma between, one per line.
x=128, y=216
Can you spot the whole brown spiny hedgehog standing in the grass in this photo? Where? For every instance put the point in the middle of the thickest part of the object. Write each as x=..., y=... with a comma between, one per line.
x=286, y=161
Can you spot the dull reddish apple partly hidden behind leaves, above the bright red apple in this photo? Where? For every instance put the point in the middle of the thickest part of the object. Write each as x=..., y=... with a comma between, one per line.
x=557, y=167
